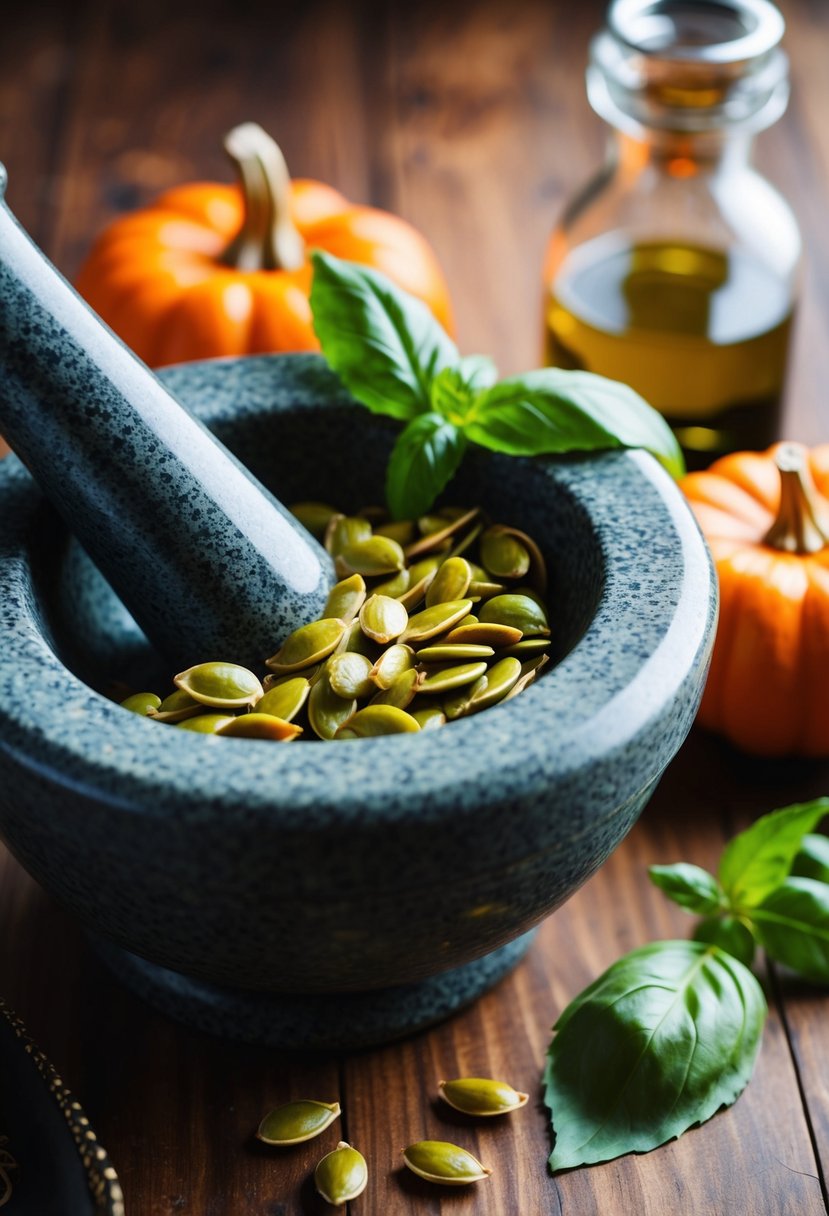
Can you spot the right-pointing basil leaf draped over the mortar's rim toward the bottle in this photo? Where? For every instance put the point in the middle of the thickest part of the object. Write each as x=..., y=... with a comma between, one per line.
x=552, y=410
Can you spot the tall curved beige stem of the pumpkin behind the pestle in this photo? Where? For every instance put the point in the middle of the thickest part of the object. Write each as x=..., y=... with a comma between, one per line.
x=269, y=240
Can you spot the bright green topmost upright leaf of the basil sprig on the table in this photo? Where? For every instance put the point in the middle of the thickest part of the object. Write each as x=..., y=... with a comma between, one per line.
x=757, y=860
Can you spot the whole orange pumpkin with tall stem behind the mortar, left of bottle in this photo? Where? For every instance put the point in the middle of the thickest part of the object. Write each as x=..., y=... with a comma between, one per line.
x=223, y=271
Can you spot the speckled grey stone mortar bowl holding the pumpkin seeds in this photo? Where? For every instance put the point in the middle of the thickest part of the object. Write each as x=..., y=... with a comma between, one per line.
x=326, y=869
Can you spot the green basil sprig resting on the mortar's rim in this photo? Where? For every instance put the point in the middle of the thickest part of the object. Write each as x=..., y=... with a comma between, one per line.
x=396, y=358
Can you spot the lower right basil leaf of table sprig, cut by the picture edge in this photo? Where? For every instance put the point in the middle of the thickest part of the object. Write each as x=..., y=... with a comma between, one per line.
x=793, y=925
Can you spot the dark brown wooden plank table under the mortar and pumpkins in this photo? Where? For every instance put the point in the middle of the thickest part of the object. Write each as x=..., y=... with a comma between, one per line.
x=471, y=121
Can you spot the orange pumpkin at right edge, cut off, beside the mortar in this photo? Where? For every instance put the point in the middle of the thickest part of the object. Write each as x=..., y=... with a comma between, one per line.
x=766, y=520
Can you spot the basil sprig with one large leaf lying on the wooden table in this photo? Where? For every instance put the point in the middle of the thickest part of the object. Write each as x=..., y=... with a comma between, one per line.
x=670, y=1033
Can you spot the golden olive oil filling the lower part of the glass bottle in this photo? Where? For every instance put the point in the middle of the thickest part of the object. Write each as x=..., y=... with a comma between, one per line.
x=701, y=334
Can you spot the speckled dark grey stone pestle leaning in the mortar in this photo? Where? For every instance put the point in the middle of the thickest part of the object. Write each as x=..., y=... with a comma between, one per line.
x=207, y=561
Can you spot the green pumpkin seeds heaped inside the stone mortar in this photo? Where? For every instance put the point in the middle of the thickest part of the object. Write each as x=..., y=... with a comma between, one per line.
x=432, y=621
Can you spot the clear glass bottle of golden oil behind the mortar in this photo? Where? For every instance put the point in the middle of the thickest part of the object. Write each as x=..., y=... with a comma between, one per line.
x=676, y=268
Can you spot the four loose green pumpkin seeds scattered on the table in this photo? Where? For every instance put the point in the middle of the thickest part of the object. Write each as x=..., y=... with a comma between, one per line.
x=343, y=1174
